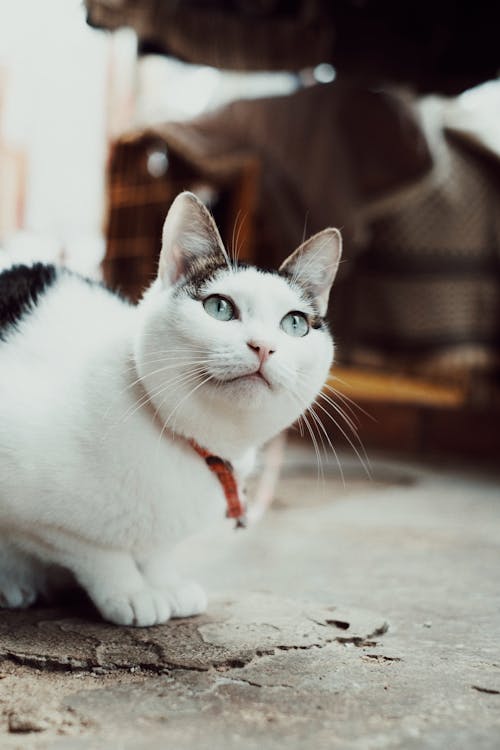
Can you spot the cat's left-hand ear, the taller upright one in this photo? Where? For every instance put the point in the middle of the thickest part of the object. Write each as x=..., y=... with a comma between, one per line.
x=189, y=232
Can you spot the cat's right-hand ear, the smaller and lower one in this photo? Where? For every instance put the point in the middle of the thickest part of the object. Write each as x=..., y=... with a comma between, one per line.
x=314, y=265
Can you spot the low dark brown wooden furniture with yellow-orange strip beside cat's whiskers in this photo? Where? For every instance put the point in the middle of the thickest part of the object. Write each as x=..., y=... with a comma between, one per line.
x=412, y=416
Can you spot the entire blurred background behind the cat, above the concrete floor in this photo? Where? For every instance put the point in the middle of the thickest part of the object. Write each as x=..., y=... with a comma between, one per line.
x=381, y=118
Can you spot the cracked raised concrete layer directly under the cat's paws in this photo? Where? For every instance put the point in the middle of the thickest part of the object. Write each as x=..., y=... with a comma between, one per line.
x=232, y=634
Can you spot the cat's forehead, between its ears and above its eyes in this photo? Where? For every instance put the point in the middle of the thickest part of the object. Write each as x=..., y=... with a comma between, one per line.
x=258, y=290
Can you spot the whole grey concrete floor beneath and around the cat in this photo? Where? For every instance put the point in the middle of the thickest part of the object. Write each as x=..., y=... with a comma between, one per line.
x=362, y=617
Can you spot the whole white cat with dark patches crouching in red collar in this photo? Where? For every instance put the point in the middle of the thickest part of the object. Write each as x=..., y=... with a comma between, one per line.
x=112, y=415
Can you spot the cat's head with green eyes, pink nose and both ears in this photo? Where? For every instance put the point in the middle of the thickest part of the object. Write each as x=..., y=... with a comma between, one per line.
x=230, y=355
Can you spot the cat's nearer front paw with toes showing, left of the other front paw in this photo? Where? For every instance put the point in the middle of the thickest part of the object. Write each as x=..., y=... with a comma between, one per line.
x=141, y=608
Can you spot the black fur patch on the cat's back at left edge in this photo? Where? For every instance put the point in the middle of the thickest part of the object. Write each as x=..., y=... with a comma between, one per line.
x=20, y=290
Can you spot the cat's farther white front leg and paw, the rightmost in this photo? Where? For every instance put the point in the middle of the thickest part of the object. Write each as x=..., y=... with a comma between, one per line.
x=186, y=598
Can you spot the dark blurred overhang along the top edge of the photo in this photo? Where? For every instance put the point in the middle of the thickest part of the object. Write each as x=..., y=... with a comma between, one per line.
x=441, y=46
